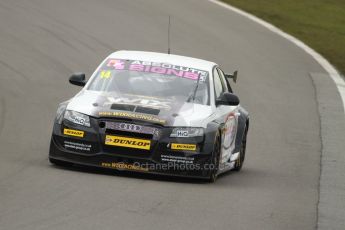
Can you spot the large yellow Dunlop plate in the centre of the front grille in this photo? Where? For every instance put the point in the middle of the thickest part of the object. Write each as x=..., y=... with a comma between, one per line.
x=127, y=142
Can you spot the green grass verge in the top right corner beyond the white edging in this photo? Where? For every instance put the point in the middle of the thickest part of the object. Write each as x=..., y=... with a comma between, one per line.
x=318, y=23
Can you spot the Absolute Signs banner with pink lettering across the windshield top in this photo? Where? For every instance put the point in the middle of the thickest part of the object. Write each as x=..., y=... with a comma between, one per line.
x=158, y=68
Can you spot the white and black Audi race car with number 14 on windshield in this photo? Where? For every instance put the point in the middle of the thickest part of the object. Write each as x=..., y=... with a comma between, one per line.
x=153, y=113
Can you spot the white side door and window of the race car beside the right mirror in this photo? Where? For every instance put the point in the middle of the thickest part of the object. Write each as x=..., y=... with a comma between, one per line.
x=227, y=116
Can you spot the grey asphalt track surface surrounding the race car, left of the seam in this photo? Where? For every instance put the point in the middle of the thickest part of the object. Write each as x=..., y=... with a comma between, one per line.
x=43, y=41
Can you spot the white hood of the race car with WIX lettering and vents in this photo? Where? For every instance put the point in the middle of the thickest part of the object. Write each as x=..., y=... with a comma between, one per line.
x=163, y=111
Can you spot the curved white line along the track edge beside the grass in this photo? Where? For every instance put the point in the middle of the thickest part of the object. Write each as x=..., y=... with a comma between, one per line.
x=338, y=80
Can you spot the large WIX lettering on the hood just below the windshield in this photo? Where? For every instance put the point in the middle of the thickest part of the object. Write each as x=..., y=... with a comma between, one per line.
x=139, y=101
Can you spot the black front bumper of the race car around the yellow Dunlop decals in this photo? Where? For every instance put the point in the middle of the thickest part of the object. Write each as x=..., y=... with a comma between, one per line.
x=90, y=150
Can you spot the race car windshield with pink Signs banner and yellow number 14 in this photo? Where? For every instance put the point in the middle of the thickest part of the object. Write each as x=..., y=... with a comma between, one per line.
x=151, y=79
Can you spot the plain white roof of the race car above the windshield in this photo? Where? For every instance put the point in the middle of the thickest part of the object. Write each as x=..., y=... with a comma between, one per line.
x=164, y=58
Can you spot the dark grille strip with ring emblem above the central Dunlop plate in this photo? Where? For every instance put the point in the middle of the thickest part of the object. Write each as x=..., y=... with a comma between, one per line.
x=131, y=128
